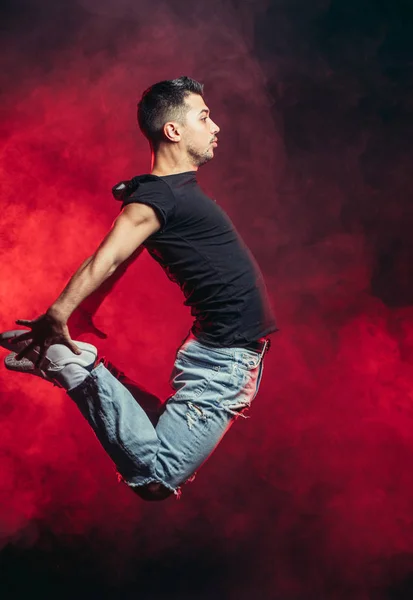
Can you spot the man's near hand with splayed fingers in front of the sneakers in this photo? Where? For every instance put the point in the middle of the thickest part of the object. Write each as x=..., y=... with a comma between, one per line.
x=45, y=331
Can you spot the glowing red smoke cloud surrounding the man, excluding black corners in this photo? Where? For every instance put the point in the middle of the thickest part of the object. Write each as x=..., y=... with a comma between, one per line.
x=312, y=495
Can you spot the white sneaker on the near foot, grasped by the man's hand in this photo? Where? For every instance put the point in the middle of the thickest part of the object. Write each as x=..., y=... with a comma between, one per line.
x=56, y=358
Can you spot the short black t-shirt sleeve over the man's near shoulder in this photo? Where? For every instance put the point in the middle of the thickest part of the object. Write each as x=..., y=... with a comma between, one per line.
x=158, y=195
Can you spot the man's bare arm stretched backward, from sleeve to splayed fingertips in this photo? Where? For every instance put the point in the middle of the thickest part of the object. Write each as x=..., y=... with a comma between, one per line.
x=131, y=228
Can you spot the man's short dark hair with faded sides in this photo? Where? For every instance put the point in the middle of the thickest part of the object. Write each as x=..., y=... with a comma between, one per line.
x=163, y=102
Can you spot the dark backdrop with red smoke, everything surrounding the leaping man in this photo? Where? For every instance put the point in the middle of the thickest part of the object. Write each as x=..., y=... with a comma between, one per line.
x=312, y=498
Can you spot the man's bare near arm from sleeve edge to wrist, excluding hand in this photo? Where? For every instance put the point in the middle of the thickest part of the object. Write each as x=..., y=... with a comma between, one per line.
x=132, y=227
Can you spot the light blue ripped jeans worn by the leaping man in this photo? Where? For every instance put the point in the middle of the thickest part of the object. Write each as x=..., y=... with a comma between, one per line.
x=212, y=387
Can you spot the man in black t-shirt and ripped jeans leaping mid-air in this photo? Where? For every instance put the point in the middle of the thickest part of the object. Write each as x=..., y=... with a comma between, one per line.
x=218, y=367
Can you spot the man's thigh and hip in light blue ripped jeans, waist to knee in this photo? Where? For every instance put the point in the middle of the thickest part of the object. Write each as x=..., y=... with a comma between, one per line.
x=212, y=388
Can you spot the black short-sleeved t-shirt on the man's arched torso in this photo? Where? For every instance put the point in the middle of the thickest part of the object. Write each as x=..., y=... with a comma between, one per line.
x=199, y=249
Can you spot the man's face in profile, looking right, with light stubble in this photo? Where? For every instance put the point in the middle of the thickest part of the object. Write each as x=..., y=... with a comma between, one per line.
x=199, y=133
